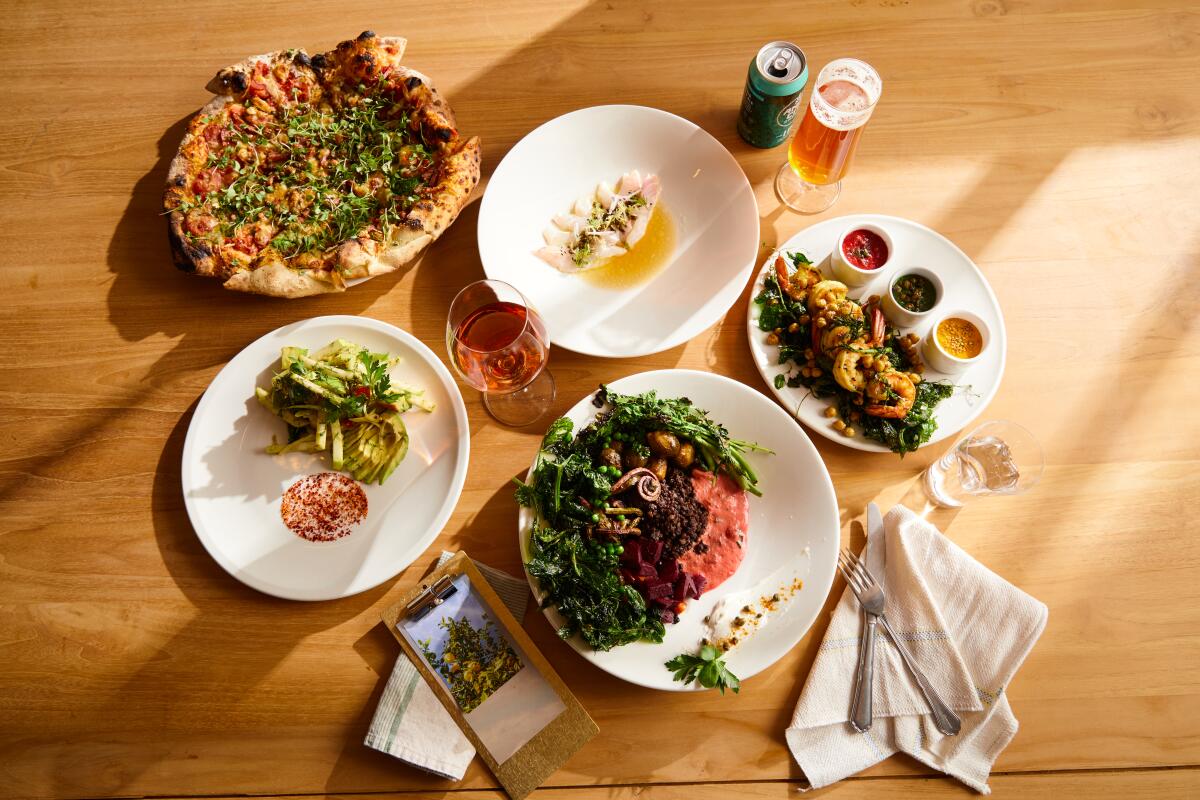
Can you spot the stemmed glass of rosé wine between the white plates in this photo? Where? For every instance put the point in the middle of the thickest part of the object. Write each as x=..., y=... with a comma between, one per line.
x=499, y=344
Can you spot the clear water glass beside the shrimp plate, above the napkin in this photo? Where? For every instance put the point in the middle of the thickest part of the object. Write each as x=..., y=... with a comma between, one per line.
x=999, y=458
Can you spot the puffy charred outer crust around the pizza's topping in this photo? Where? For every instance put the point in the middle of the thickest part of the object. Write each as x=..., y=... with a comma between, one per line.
x=358, y=258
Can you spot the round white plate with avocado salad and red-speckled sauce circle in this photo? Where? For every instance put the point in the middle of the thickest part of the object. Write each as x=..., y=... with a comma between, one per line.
x=233, y=490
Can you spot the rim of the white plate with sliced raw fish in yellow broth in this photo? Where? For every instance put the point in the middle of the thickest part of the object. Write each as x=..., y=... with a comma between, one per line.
x=747, y=272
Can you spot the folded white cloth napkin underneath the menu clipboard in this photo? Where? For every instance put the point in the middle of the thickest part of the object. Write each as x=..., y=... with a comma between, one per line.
x=411, y=724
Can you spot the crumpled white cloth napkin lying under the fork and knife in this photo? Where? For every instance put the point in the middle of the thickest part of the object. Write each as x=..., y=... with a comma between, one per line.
x=968, y=629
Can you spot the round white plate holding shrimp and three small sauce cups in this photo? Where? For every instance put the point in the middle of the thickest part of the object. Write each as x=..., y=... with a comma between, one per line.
x=967, y=290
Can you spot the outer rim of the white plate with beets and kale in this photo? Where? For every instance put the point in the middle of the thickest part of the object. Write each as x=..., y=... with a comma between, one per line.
x=525, y=519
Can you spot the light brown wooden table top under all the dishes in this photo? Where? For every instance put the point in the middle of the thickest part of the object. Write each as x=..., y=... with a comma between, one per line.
x=1058, y=143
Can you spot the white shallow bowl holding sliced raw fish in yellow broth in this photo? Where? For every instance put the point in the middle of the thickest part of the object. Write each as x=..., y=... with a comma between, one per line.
x=704, y=191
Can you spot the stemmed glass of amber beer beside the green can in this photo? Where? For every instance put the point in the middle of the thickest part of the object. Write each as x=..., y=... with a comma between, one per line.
x=843, y=99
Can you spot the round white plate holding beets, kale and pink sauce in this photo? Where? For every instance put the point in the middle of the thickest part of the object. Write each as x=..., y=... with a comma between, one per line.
x=794, y=532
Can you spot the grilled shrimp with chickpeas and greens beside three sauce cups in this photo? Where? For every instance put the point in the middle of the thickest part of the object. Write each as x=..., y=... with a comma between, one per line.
x=849, y=353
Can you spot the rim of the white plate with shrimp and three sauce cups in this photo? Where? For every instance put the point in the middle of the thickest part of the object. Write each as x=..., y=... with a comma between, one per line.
x=857, y=443
